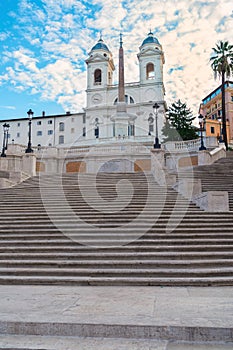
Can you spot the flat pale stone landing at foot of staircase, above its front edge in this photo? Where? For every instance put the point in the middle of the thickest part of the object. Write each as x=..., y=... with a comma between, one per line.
x=119, y=305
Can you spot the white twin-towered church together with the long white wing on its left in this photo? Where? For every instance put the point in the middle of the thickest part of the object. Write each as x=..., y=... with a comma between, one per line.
x=96, y=123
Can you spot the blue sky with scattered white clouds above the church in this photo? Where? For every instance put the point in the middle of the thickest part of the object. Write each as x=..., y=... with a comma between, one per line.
x=44, y=44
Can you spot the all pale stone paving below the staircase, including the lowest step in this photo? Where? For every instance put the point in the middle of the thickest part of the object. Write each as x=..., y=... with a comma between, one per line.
x=169, y=309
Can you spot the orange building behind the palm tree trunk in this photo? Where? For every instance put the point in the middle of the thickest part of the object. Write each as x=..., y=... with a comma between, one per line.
x=211, y=109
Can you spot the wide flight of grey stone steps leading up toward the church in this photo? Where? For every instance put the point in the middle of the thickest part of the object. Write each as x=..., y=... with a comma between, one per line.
x=61, y=229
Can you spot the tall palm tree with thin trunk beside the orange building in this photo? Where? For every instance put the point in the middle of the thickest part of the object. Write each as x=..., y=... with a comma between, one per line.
x=222, y=65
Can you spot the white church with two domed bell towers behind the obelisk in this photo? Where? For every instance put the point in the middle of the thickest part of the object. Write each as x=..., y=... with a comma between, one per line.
x=102, y=95
